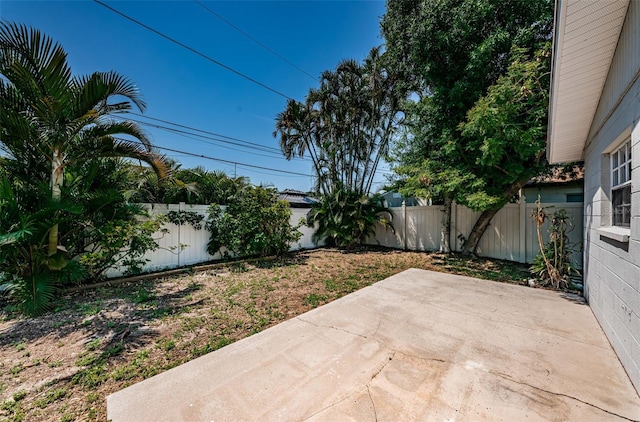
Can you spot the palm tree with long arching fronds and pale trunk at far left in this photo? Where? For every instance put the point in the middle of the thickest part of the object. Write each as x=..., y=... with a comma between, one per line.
x=52, y=119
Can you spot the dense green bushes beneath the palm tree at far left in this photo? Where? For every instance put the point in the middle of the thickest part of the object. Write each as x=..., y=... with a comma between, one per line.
x=98, y=230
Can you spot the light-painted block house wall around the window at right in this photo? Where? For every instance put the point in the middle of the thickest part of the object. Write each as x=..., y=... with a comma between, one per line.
x=612, y=268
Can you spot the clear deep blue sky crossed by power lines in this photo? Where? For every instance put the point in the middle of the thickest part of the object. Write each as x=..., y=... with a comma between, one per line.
x=181, y=87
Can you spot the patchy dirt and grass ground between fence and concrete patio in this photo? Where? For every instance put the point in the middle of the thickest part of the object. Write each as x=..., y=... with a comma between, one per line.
x=62, y=365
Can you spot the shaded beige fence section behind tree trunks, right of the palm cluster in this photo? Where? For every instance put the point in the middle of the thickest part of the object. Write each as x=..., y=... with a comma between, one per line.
x=512, y=234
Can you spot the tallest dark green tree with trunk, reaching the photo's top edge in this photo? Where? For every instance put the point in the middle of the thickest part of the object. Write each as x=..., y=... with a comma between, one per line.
x=453, y=51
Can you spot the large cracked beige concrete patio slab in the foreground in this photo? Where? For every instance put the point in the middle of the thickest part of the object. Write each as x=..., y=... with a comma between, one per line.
x=420, y=345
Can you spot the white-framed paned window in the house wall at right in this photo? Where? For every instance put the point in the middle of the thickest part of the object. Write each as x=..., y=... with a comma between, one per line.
x=621, y=185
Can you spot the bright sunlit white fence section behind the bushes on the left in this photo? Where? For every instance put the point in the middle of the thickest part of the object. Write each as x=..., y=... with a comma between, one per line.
x=181, y=245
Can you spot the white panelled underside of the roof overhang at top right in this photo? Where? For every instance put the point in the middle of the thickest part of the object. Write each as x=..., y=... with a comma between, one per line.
x=586, y=34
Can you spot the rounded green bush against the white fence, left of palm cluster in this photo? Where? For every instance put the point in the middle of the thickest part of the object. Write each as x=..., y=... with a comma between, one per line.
x=255, y=223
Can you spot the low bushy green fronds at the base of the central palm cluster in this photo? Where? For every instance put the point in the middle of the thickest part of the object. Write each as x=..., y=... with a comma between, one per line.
x=345, y=218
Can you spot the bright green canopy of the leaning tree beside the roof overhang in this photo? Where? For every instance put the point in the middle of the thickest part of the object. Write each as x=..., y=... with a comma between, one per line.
x=506, y=129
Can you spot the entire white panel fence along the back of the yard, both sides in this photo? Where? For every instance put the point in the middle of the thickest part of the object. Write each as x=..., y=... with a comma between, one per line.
x=511, y=235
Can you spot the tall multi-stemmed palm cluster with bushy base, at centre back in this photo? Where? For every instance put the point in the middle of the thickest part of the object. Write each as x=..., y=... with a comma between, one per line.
x=346, y=127
